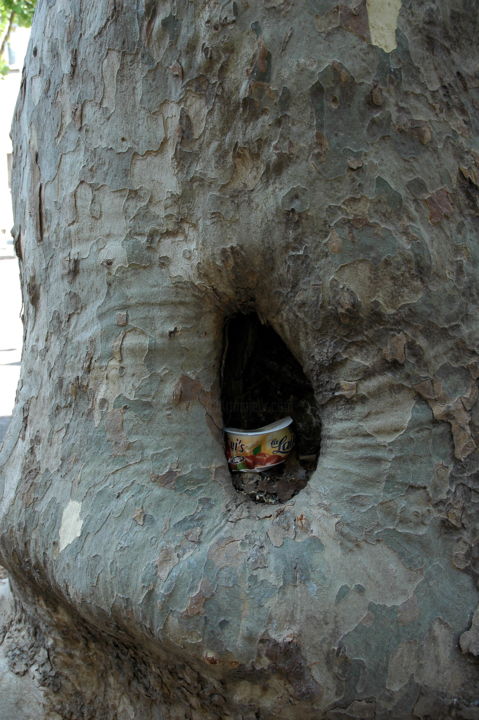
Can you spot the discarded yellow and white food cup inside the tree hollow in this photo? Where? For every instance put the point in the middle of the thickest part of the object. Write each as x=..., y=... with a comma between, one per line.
x=260, y=449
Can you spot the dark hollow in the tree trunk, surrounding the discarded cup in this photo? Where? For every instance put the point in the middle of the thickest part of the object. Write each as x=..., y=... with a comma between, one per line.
x=261, y=382
